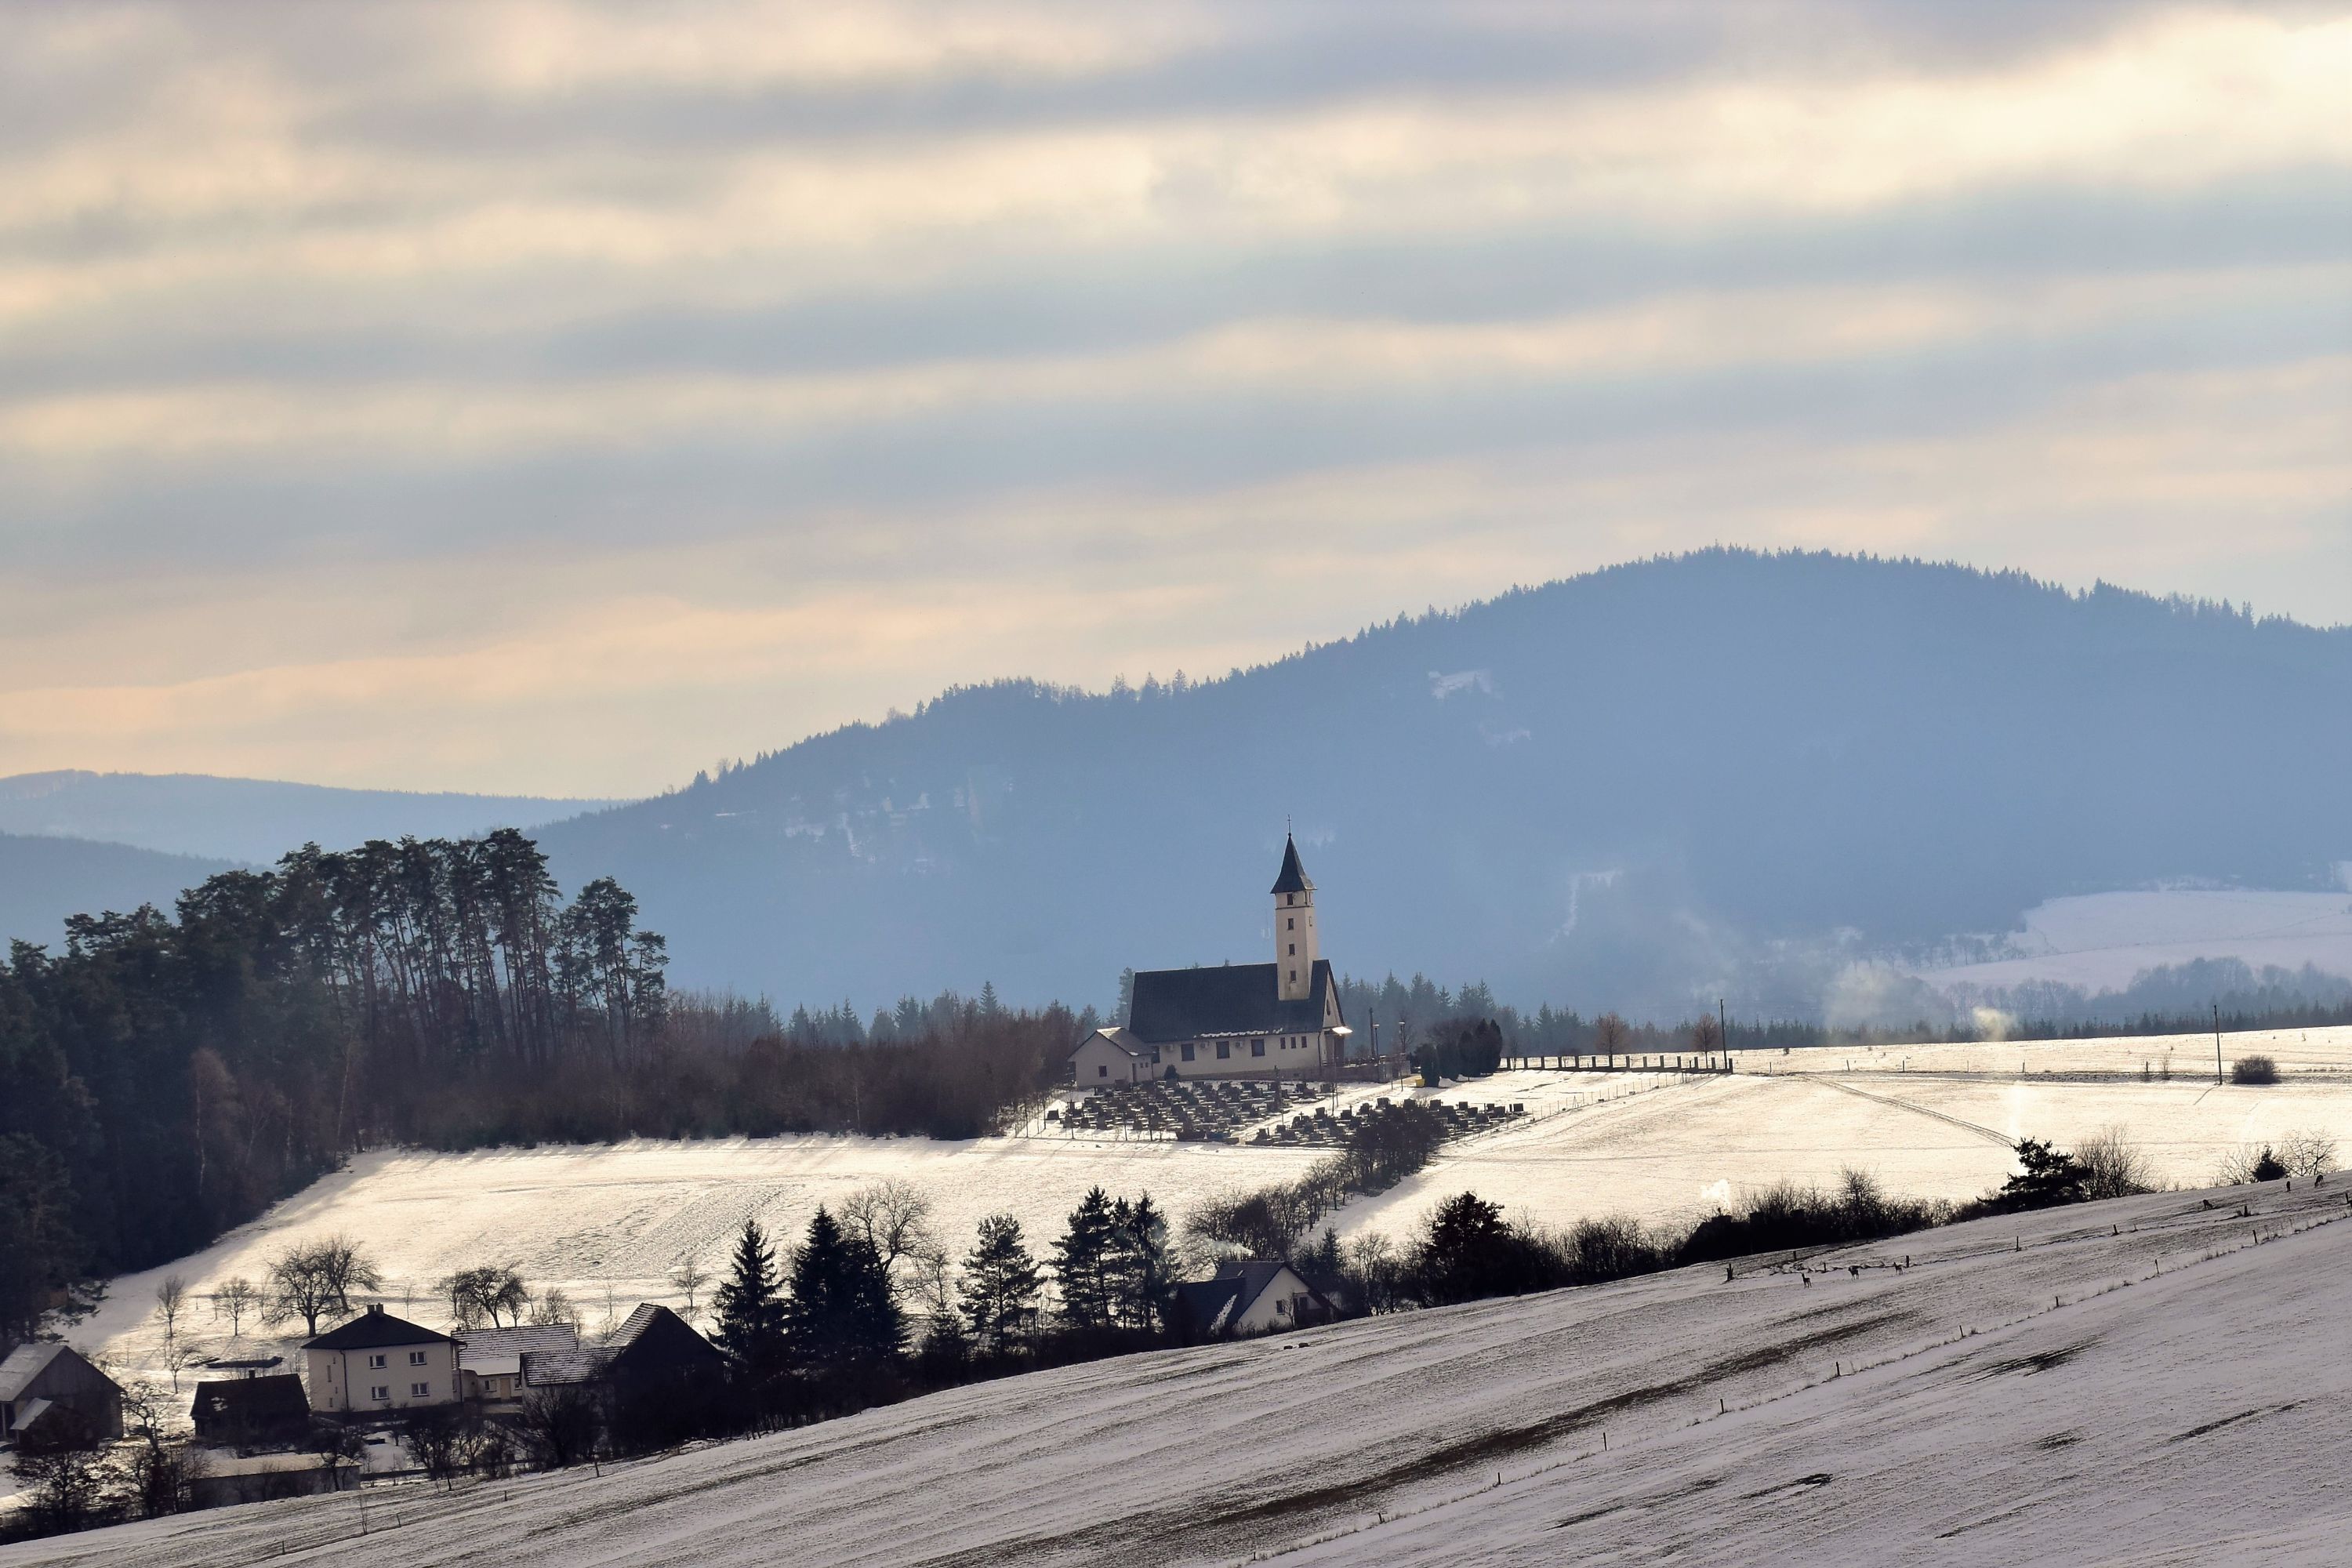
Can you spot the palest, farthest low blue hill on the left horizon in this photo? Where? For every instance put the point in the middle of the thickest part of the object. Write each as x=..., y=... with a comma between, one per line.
x=250, y=819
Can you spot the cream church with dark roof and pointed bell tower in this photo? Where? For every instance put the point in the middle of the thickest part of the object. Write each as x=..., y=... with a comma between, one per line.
x=1236, y=1021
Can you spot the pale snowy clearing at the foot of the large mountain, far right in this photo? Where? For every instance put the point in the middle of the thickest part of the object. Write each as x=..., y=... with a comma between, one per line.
x=2102, y=942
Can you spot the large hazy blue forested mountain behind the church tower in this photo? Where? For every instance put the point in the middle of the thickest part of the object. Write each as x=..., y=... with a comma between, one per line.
x=1636, y=789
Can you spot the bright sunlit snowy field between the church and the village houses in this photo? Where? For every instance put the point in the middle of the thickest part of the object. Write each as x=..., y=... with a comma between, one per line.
x=608, y=1224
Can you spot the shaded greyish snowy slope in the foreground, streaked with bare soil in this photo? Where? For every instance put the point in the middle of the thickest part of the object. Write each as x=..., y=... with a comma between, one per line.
x=2149, y=1381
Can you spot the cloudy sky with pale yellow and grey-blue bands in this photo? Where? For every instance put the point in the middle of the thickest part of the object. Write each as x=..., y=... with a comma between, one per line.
x=561, y=396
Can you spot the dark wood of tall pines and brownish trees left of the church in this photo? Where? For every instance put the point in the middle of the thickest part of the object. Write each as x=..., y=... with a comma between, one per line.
x=166, y=1078
